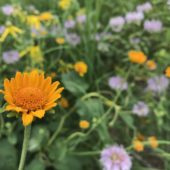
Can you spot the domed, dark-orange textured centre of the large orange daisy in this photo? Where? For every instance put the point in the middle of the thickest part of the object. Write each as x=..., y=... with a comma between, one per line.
x=30, y=98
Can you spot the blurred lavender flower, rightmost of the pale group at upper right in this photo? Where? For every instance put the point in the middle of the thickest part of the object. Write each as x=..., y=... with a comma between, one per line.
x=153, y=25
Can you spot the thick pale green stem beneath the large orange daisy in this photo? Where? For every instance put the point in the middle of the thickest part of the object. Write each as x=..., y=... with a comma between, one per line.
x=27, y=132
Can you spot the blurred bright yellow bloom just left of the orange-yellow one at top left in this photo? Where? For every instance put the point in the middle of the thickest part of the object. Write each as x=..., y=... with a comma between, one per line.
x=33, y=21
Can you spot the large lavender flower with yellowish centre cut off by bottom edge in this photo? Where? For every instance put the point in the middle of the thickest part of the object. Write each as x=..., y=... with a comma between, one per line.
x=115, y=158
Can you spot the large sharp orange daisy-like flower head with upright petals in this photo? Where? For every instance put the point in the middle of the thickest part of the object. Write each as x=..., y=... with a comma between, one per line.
x=31, y=94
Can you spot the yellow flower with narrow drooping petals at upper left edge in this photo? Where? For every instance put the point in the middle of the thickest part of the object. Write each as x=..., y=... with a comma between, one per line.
x=10, y=30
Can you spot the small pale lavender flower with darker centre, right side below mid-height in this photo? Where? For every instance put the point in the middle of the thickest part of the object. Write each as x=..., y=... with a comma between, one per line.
x=140, y=109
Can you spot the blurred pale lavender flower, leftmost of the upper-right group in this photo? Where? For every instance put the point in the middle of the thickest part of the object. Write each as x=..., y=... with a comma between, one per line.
x=117, y=23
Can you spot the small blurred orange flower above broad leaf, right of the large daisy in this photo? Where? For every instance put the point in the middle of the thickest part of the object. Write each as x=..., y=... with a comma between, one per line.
x=80, y=67
